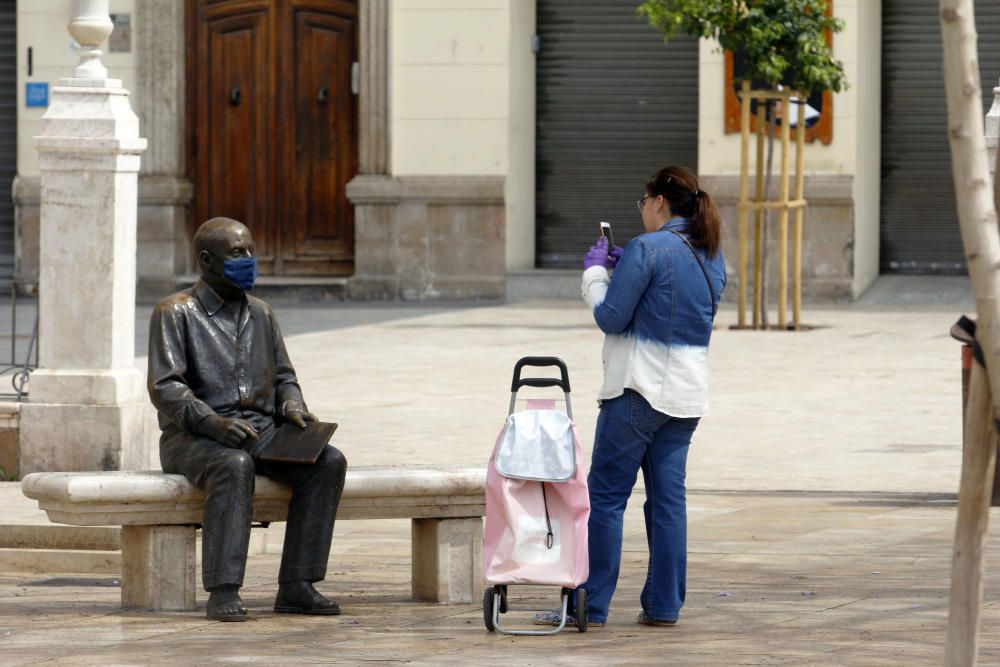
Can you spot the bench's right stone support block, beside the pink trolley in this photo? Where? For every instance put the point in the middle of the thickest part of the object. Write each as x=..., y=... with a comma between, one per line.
x=447, y=559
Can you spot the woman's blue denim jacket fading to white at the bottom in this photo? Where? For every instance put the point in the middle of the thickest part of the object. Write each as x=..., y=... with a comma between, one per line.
x=656, y=312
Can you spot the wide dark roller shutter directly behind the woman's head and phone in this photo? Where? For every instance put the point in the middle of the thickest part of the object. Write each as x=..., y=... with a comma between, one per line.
x=614, y=104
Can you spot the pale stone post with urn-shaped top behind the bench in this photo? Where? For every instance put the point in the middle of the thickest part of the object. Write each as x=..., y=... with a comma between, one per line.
x=88, y=409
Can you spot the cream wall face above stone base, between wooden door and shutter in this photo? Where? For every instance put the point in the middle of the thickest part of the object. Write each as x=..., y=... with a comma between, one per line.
x=449, y=87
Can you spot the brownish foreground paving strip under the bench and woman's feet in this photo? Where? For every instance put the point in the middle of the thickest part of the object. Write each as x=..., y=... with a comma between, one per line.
x=774, y=579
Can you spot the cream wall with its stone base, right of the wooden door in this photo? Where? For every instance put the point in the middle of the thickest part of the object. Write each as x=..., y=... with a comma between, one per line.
x=435, y=226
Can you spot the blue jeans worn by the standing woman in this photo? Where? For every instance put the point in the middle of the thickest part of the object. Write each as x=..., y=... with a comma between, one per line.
x=631, y=436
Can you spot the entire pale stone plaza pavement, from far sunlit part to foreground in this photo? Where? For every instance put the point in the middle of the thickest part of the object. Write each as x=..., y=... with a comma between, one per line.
x=821, y=504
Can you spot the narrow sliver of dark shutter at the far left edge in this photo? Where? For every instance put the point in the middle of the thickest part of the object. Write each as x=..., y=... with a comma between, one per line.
x=8, y=135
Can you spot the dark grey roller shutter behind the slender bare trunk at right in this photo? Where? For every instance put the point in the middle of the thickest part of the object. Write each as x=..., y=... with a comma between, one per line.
x=920, y=232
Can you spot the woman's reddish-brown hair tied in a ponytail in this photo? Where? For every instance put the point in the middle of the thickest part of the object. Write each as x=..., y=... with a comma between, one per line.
x=679, y=186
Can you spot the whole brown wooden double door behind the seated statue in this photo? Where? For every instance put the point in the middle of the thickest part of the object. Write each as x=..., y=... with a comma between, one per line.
x=272, y=105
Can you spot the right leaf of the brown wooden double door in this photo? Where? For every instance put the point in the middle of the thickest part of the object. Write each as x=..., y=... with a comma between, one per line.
x=323, y=142
